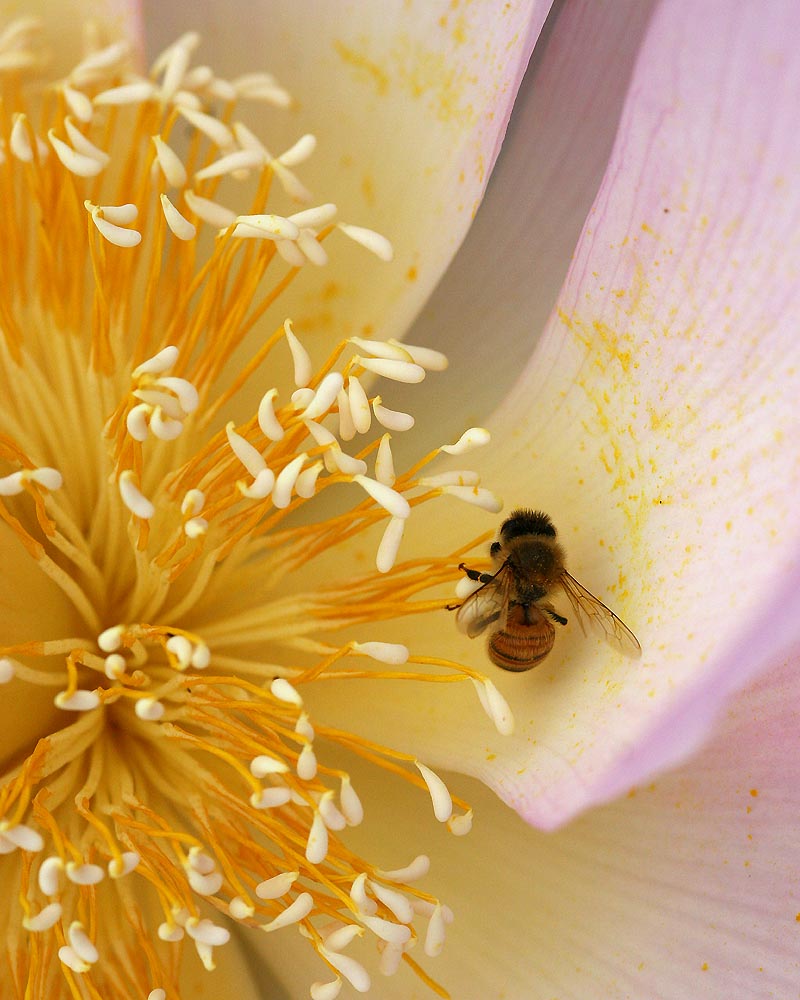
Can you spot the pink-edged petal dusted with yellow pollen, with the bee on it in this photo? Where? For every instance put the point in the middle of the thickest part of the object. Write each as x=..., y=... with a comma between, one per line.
x=658, y=415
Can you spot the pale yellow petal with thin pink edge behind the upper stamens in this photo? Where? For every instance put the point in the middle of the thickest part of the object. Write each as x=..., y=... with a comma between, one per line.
x=409, y=103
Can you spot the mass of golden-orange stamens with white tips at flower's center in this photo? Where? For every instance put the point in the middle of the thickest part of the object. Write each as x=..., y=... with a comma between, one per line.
x=164, y=518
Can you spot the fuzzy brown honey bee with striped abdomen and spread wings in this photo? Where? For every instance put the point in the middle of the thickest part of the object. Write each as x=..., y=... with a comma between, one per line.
x=514, y=599
